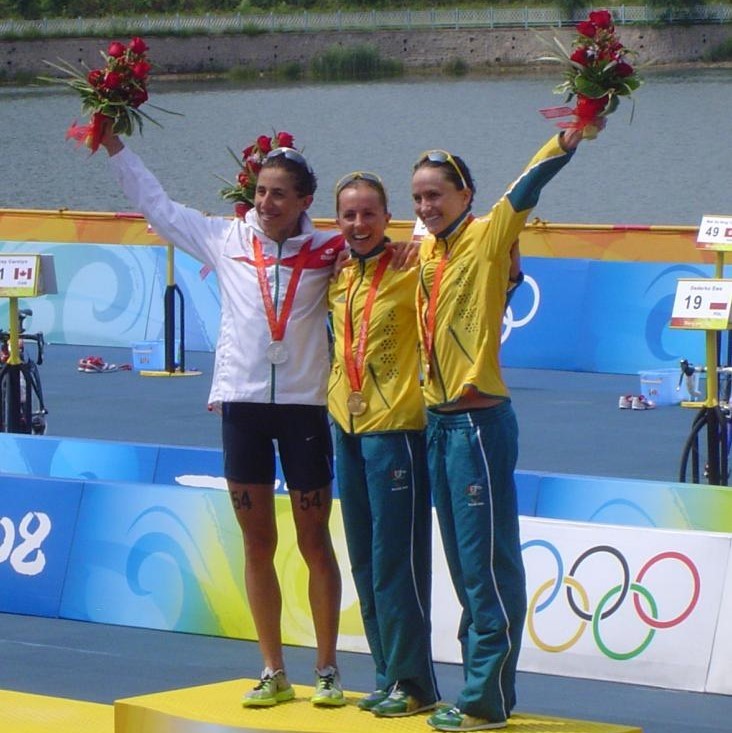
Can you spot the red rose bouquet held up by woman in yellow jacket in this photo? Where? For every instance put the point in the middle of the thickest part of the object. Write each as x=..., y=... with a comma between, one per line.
x=597, y=74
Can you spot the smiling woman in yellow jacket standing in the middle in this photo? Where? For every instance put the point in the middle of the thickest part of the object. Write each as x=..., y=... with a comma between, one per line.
x=375, y=400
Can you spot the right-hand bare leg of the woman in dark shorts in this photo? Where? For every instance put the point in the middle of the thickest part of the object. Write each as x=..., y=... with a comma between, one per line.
x=311, y=511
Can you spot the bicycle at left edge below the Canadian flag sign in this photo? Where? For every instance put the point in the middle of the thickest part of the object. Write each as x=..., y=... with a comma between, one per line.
x=22, y=409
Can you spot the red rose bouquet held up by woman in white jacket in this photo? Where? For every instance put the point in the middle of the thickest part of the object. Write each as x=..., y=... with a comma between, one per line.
x=114, y=92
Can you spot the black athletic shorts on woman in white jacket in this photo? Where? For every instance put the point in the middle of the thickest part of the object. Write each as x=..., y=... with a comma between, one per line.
x=303, y=437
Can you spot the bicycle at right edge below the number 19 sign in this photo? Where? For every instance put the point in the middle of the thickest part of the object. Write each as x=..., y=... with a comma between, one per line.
x=717, y=419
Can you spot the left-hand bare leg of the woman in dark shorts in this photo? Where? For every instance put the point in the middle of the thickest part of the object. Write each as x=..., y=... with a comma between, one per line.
x=254, y=508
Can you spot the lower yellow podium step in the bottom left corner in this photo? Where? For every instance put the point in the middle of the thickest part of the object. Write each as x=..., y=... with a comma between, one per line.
x=24, y=713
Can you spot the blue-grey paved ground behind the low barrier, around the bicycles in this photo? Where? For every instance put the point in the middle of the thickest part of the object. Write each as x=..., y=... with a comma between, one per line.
x=569, y=421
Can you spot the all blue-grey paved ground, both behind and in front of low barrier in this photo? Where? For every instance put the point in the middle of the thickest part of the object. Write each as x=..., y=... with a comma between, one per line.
x=570, y=423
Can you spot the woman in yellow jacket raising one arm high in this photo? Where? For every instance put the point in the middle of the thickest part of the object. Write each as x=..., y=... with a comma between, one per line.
x=472, y=435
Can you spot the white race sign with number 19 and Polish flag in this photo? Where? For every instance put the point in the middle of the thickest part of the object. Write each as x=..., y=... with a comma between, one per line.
x=702, y=304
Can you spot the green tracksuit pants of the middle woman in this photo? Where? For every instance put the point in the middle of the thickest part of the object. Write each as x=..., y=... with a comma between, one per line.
x=385, y=503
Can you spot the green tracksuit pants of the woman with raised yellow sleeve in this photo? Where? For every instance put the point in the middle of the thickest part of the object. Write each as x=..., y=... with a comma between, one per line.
x=471, y=458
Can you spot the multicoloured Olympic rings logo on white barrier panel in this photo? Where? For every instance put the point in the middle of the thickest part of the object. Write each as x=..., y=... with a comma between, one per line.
x=644, y=603
